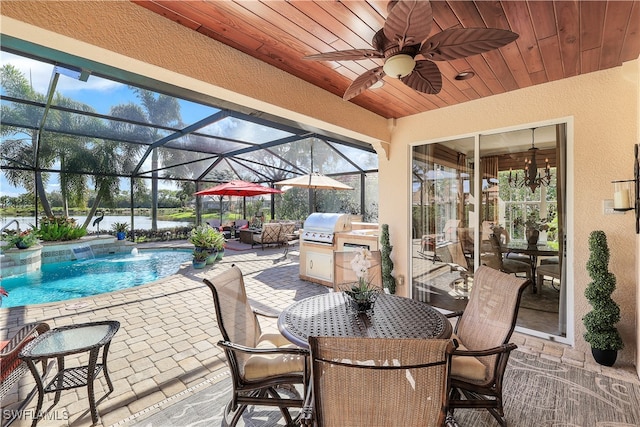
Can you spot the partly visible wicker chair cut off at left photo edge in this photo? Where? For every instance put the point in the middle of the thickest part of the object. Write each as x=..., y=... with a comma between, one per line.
x=12, y=368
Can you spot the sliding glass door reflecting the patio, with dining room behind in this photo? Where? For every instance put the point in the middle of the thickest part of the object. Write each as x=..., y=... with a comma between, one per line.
x=497, y=200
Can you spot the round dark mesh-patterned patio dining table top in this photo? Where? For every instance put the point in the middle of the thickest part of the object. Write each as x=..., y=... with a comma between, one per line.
x=331, y=314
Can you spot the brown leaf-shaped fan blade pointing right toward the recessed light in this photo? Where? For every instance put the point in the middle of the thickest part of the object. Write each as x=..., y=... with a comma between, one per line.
x=463, y=42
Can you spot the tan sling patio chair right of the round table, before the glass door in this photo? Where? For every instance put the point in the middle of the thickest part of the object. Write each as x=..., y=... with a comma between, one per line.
x=483, y=332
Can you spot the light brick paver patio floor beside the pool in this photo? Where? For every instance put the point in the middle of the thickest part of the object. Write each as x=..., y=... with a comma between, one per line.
x=166, y=345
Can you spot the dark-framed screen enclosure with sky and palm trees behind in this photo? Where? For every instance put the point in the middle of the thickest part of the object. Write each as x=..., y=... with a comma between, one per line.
x=80, y=139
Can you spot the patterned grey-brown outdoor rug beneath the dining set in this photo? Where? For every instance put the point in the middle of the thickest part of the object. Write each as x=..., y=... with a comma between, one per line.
x=538, y=392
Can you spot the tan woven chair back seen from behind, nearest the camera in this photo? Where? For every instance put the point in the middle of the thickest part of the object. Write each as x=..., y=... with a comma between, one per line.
x=378, y=382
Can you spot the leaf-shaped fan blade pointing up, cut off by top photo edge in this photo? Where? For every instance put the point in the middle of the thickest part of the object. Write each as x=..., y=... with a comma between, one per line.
x=409, y=22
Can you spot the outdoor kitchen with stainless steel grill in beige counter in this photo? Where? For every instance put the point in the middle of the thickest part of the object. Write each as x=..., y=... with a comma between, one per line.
x=325, y=233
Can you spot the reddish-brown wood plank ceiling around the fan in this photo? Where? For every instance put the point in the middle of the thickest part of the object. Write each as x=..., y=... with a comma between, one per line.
x=557, y=39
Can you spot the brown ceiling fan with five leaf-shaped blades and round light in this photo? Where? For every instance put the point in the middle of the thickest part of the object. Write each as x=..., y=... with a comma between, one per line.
x=408, y=53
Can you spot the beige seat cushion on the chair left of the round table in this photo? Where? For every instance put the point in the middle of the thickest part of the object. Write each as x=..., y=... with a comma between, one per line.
x=260, y=366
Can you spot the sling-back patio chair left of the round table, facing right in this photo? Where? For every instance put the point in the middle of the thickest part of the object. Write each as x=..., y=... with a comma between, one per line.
x=261, y=364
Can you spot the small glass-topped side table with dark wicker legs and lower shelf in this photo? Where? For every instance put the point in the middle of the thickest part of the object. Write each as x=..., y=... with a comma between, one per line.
x=65, y=341
